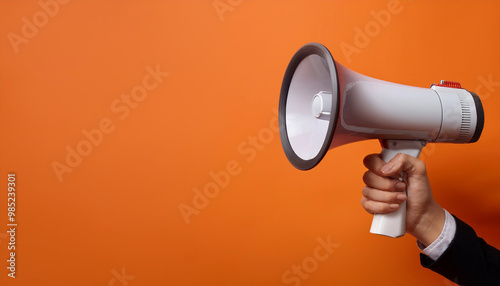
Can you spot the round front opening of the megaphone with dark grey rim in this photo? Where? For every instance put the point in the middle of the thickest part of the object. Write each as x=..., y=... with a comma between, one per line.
x=306, y=138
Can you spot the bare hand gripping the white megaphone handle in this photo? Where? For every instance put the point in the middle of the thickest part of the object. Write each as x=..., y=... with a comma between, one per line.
x=383, y=194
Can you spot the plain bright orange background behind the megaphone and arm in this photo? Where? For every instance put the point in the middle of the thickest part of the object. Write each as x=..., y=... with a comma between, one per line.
x=118, y=210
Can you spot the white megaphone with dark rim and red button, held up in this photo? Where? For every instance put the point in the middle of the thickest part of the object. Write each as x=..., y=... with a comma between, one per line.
x=324, y=105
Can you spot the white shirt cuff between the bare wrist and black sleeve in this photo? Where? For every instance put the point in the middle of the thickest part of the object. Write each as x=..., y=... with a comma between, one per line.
x=438, y=246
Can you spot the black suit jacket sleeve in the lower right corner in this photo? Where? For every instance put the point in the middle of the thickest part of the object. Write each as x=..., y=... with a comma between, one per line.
x=468, y=260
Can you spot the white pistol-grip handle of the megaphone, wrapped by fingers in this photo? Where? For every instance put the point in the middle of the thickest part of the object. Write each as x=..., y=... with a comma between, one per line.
x=394, y=224
